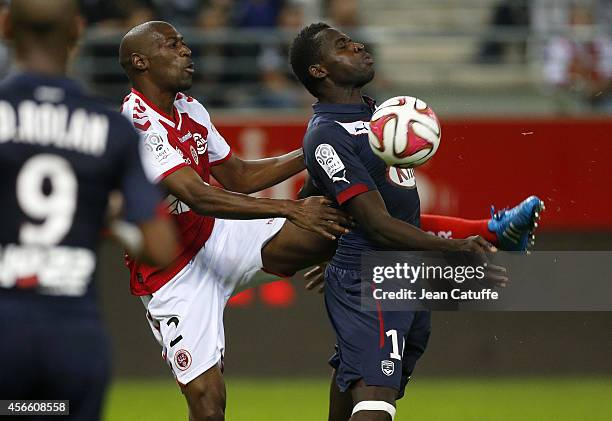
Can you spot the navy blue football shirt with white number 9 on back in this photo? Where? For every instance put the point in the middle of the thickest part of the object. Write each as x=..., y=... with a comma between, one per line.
x=61, y=153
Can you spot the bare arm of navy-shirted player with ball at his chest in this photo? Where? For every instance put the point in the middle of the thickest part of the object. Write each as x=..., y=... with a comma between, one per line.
x=370, y=212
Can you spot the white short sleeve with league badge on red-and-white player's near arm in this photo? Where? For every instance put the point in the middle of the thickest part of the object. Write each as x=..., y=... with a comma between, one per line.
x=159, y=158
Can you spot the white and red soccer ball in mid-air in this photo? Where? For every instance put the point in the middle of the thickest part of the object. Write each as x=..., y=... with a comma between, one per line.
x=404, y=132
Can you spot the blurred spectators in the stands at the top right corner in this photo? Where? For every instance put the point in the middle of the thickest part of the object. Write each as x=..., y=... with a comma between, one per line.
x=572, y=42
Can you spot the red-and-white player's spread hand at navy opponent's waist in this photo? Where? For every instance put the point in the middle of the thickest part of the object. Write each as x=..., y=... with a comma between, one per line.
x=316, y=214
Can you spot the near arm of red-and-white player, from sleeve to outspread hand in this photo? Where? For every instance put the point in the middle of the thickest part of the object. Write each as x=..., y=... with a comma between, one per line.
x=314, y=214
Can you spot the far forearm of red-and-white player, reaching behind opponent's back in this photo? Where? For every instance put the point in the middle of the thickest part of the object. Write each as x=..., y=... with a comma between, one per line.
x=249, y=176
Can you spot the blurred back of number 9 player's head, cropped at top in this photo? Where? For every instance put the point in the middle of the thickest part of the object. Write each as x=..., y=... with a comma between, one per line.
x=44, y=20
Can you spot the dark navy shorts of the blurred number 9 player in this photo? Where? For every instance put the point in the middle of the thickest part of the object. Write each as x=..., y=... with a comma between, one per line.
x=52, y=349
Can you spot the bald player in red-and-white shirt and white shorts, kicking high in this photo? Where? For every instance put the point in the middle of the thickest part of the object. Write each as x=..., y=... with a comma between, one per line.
x=224, y=246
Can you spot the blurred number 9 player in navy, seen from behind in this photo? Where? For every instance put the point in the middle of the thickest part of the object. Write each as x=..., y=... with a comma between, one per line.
x=61, y=154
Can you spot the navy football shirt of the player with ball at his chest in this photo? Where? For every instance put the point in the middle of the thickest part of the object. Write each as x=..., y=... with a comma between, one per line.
x=342, y=166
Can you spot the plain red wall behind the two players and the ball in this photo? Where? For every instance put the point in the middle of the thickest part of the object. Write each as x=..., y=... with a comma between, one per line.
x=484, y=162
